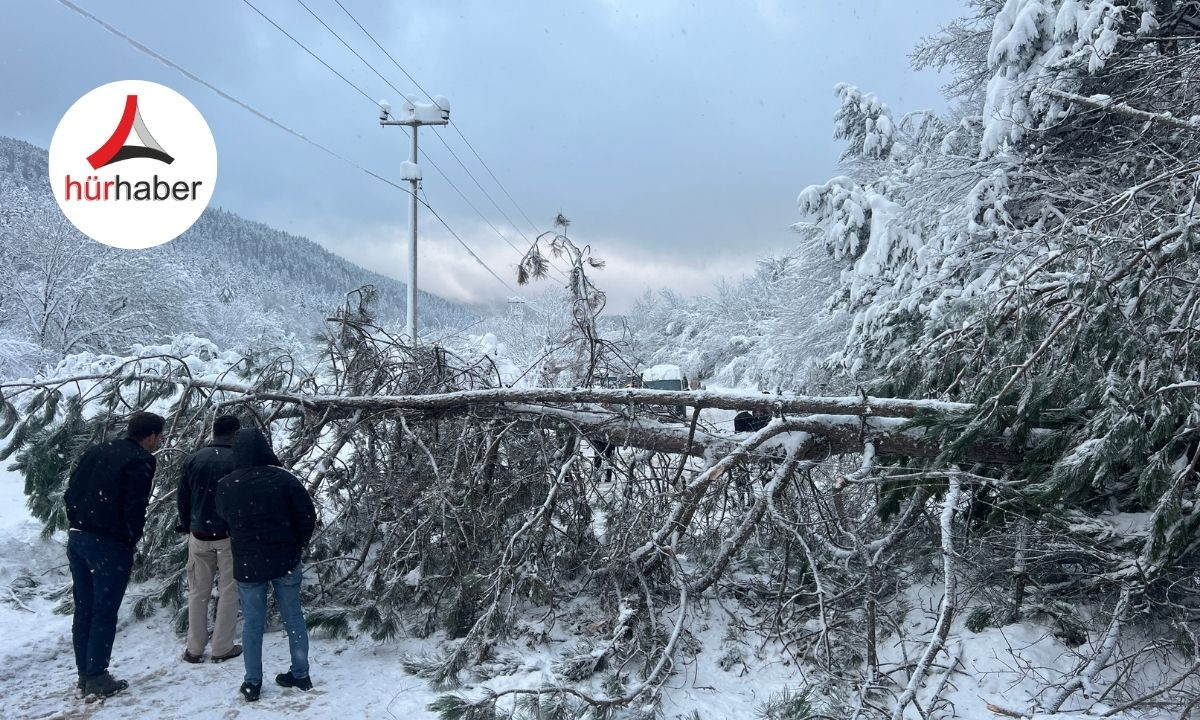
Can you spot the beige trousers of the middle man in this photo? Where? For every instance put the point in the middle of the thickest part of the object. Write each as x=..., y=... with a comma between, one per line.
x=207, y=559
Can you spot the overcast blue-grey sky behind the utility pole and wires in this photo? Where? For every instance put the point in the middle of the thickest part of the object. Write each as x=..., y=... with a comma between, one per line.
x=675, y=135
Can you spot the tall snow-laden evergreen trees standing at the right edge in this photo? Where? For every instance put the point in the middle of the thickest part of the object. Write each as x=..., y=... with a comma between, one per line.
x=1035, y=255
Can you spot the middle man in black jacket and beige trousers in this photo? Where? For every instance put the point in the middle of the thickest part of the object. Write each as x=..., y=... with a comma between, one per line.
x=208, y=547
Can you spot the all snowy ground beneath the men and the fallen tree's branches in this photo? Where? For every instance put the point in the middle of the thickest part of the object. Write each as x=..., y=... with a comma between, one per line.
x=362, y=679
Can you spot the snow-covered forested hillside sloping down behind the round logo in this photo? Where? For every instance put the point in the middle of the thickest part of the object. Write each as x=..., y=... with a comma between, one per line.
x=237, y=283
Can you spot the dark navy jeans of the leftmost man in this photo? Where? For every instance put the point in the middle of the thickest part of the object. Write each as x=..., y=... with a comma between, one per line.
x=100, y=572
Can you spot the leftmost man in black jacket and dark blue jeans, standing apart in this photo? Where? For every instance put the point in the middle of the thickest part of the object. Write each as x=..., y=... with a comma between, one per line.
x=106, y=502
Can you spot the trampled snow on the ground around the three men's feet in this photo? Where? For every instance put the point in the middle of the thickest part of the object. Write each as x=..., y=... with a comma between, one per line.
x=353, y=679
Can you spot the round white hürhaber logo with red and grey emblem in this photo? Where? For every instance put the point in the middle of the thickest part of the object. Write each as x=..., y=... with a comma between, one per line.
x=133, y=165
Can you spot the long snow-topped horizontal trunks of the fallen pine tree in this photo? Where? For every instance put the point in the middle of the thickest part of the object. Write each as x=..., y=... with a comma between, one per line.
x=841, y=423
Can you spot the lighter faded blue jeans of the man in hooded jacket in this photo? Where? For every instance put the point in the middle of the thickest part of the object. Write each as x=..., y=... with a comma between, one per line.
x=254, y=621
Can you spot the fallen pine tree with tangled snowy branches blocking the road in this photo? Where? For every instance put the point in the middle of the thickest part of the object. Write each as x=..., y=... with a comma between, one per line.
x=453, y=507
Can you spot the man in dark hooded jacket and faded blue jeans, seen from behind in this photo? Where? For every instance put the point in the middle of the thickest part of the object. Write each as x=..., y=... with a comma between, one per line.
x=271, y=519
